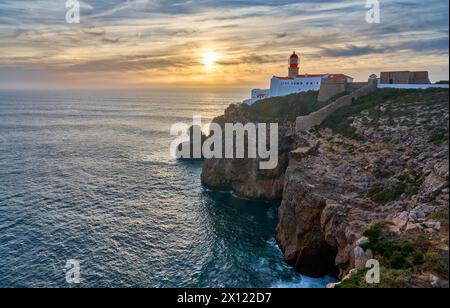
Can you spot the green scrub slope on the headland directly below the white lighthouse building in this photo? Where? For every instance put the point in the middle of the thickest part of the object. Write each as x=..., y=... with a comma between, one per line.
x=285, y=108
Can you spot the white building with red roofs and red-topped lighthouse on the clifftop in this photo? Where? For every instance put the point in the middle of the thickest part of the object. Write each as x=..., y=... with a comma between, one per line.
x=293, y=83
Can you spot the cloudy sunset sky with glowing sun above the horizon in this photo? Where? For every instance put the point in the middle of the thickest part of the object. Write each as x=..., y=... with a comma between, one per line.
x=214, y=43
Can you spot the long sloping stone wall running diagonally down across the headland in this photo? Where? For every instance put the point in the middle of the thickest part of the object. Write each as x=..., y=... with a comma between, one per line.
x=316, y=118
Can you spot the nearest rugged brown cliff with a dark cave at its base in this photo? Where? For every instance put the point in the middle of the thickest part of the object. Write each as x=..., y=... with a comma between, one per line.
x=391, y=165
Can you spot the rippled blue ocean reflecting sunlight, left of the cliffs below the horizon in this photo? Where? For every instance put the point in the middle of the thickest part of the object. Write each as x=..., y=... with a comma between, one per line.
x=87, y=176
